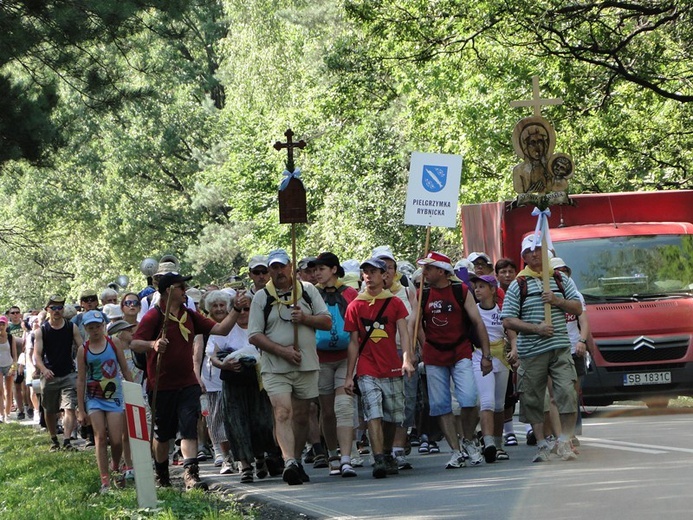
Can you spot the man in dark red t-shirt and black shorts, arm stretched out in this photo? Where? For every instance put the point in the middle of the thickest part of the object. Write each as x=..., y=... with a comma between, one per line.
x=178, y=389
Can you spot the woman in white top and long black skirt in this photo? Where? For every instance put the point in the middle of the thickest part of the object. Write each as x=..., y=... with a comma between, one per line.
x=247, y=410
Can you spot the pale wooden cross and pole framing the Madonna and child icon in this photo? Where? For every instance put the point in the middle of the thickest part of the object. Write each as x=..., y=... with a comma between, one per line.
x=536, y=103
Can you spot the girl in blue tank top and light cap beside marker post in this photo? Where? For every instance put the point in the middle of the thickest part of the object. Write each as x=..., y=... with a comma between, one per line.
x=100, y=394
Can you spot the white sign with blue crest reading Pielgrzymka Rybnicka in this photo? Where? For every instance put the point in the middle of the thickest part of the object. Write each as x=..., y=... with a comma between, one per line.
x=433, y=191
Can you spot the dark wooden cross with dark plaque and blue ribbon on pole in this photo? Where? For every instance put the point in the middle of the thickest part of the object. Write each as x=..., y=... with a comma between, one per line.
x=292, y=205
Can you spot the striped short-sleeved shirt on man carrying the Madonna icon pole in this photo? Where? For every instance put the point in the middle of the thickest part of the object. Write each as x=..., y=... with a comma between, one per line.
x=533, y=312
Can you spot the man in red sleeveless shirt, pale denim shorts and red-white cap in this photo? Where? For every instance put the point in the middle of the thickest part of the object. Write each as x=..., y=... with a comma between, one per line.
x=447, y=354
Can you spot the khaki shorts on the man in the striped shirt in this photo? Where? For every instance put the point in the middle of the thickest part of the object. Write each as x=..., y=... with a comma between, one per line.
x=532, y=379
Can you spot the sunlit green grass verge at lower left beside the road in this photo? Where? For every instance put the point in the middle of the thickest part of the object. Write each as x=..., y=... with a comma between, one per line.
x=37, y=484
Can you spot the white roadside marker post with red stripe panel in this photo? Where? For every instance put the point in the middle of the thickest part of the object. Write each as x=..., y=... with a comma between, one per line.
x=138, y=431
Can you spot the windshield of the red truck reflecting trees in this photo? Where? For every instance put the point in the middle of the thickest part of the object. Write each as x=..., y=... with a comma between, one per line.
x=631, y=267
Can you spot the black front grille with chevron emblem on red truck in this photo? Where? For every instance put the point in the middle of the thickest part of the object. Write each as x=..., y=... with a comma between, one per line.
x=644, y=349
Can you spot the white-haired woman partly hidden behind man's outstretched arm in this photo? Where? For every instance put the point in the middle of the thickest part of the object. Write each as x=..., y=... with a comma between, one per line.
x=218, y=305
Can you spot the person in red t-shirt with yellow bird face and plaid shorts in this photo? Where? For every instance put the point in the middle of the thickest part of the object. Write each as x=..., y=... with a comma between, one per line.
x=380, y=368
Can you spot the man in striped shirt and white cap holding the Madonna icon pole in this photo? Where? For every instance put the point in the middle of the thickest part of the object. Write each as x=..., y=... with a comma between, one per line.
x=543, y=349
